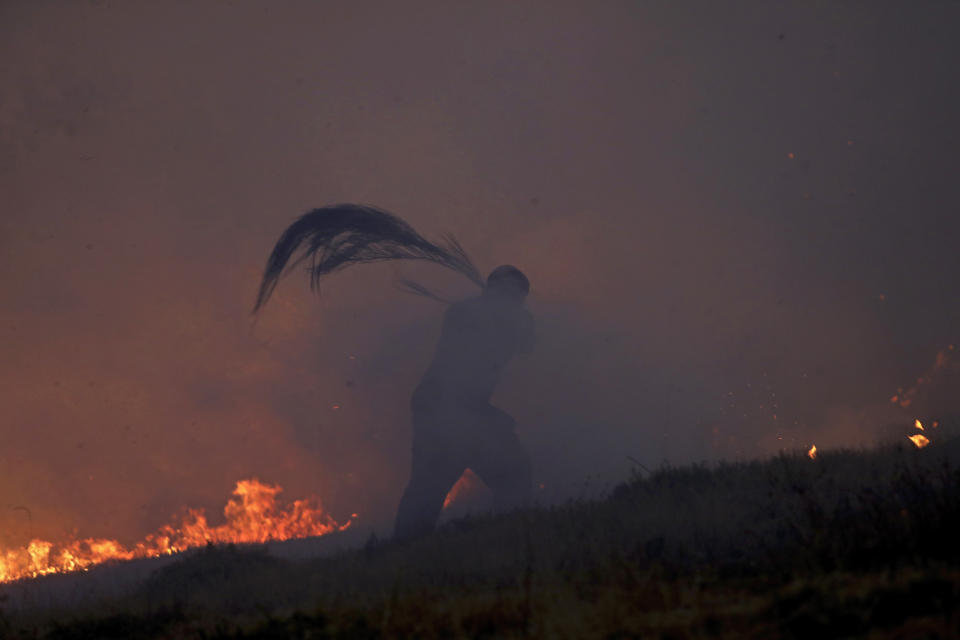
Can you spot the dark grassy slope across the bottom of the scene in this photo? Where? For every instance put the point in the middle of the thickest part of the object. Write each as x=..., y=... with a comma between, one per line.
x=854, y=544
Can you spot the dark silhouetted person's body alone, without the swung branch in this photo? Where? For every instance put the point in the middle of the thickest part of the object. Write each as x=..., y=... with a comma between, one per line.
x=454, y=425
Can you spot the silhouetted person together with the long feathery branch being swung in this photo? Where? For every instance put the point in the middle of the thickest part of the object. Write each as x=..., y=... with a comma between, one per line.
x=454, y=425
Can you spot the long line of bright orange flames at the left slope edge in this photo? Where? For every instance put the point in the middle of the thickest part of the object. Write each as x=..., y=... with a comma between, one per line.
x=252, y=515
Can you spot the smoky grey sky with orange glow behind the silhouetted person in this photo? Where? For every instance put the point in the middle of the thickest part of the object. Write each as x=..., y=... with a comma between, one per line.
x=739, y=223
